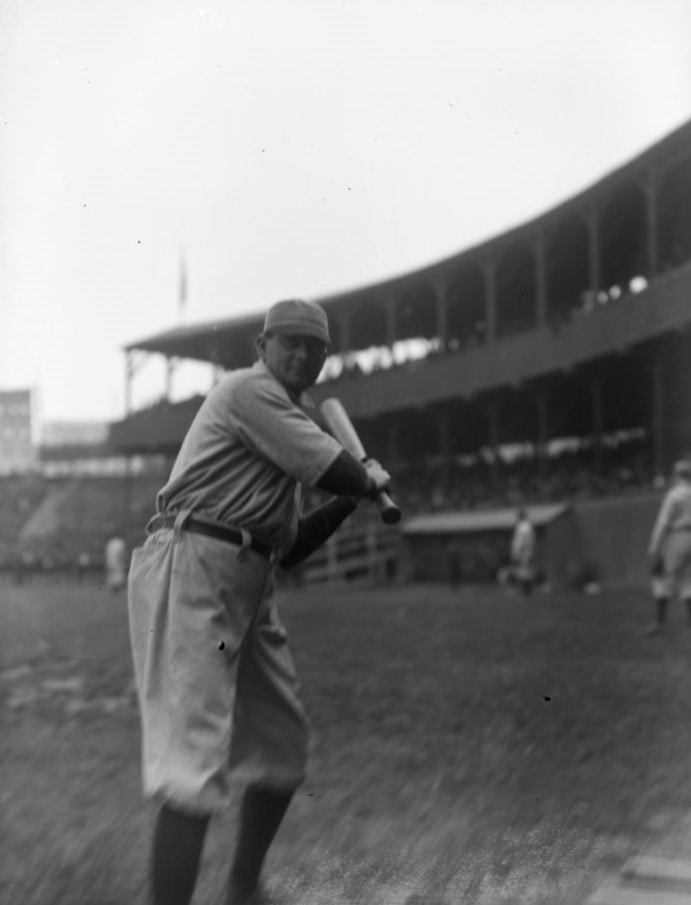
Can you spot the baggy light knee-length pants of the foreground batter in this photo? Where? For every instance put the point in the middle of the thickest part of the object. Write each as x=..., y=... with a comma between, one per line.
x=218, y=691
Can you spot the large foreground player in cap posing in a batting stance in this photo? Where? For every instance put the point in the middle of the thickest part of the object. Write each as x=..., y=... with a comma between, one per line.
x=218, y=692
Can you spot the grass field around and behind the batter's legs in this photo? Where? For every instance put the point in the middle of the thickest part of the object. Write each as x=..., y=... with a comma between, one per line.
x=469, y=748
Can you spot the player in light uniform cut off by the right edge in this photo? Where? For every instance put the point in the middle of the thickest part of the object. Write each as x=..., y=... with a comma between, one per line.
x=669, y=551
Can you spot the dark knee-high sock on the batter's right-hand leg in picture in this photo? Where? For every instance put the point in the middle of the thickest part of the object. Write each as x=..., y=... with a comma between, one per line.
x=261, y=813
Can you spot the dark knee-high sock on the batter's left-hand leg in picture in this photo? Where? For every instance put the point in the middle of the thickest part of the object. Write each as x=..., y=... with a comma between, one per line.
x=178, y=843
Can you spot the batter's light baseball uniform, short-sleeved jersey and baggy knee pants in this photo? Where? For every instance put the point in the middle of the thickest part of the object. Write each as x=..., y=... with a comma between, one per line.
x=217, y=685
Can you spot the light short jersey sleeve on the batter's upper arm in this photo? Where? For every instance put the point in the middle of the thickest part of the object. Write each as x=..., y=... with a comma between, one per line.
x=267, y=421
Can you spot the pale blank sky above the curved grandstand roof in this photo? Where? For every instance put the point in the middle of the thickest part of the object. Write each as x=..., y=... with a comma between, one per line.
x=288, y=148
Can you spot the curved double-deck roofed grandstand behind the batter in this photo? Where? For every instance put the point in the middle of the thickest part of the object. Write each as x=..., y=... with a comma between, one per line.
x=546, y=365
